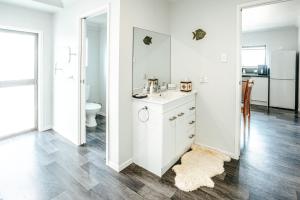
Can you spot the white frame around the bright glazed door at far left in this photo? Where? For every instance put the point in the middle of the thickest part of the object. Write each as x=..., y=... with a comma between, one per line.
x=38, y=105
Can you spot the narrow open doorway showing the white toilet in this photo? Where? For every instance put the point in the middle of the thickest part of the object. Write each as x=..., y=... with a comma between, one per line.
x=94, y=80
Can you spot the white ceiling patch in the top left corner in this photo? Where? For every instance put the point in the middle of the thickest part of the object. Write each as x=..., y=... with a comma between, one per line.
x=43, y=5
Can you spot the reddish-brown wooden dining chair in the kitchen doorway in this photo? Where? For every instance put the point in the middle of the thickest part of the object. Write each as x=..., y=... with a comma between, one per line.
x=245, y=109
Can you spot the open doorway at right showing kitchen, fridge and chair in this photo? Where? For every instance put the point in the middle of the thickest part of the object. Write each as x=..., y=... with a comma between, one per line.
x=268, y=54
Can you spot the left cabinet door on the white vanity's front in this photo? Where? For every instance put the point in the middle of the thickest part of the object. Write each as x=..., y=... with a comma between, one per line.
x=169, y=139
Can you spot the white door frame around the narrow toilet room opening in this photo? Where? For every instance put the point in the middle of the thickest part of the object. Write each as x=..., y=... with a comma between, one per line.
x=82, y=60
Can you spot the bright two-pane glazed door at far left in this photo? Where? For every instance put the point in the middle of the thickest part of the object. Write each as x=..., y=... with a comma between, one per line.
x=18, y=82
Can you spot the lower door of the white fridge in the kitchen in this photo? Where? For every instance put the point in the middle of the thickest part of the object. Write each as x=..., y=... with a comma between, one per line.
x=282, y=93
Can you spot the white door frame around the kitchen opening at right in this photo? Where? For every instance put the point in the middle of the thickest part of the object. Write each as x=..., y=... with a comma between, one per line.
x=238, y=93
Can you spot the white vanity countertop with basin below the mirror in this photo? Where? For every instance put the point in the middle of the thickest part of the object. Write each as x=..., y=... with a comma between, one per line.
x=165, y=97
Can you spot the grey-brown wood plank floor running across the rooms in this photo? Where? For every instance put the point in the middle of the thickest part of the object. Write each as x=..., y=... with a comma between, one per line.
x=46, y=166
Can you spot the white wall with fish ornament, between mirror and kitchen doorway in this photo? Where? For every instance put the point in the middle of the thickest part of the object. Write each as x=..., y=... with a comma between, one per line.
x=216, y=100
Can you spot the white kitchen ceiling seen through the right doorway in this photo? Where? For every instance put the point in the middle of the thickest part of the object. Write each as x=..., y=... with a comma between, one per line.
x=271, y=16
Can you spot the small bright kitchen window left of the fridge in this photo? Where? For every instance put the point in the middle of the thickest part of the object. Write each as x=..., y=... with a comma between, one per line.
x=253, y=56
